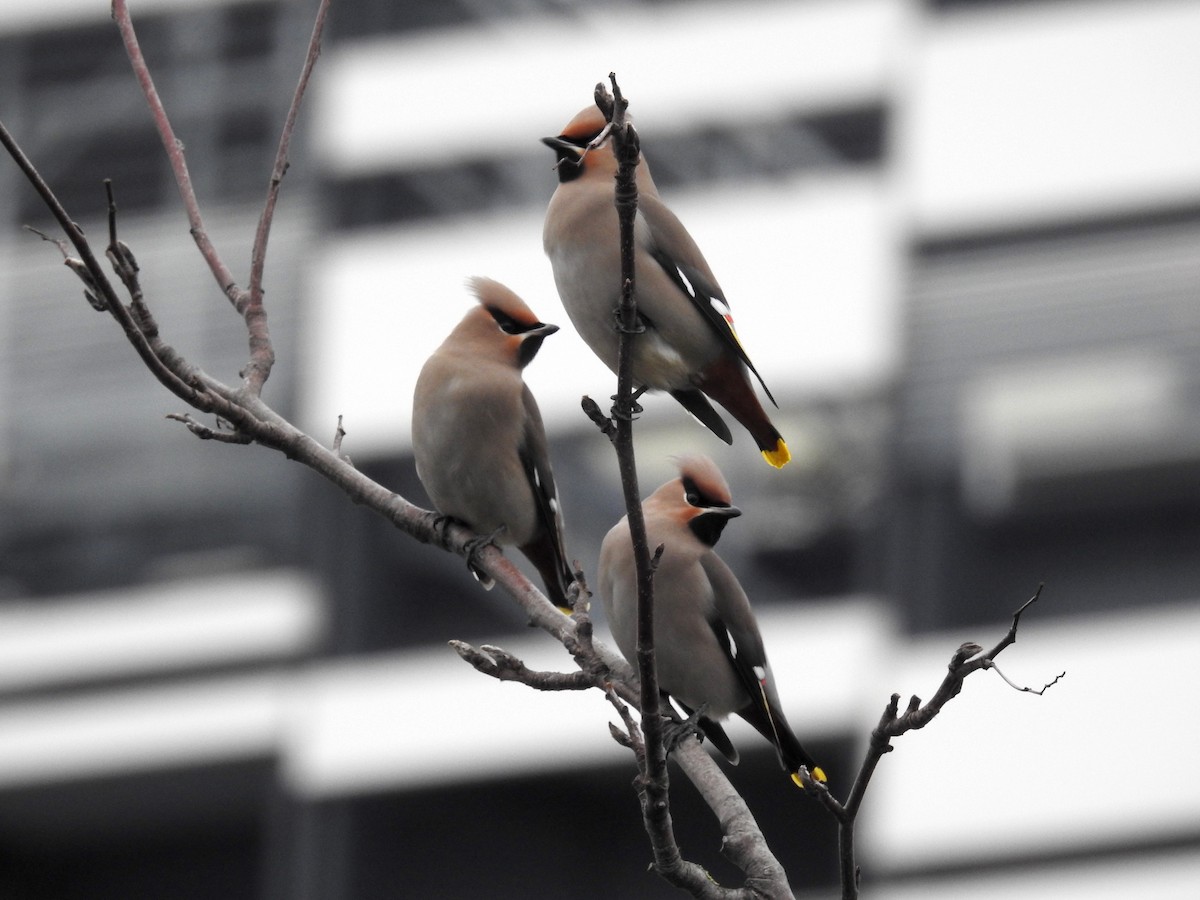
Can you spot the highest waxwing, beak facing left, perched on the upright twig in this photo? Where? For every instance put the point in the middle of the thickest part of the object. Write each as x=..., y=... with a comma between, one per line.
x=689, y=347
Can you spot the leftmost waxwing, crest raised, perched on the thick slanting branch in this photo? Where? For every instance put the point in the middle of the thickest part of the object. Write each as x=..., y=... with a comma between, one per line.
x=478, y=437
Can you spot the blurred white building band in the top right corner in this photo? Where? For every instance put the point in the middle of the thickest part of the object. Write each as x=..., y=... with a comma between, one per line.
x=1045, y=111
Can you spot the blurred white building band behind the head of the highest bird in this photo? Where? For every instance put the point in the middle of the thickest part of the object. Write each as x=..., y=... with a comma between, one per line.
x=500, y=87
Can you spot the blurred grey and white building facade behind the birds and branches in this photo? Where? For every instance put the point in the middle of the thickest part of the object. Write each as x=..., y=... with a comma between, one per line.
x=962, y=244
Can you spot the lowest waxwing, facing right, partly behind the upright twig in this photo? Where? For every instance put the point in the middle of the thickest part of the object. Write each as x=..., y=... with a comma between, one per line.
x=707, y=645
